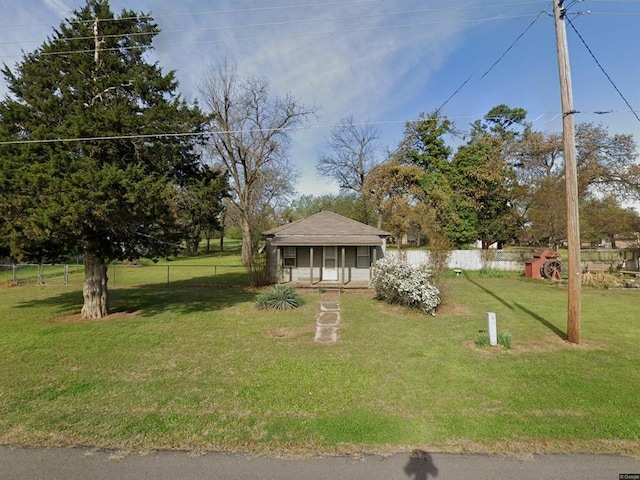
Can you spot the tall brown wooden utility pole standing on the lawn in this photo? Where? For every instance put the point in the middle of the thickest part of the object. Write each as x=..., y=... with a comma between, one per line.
x=571, y=176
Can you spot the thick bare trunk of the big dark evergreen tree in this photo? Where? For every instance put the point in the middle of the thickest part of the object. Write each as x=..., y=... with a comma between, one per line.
x=96, y=295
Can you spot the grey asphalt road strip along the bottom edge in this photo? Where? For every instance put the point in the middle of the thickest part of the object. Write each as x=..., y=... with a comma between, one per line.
x=84, y=464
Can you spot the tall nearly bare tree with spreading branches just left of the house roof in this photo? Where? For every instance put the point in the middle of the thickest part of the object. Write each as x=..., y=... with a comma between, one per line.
x=248, y=135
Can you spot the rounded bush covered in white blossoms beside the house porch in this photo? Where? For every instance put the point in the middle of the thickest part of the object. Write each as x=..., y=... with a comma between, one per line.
x=398, y=282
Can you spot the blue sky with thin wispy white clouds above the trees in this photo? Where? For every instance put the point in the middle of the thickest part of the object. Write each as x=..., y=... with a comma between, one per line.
x=384, y=61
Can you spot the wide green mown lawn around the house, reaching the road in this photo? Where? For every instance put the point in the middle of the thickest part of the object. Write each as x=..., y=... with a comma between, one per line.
x=193, y=365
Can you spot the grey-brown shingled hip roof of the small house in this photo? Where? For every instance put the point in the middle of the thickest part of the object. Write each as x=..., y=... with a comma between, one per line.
x=325, y=228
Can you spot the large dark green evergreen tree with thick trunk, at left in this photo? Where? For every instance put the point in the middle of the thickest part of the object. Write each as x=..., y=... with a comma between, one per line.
x=88, y=157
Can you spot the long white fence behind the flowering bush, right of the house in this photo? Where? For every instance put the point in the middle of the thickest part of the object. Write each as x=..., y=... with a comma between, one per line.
x=469, y=259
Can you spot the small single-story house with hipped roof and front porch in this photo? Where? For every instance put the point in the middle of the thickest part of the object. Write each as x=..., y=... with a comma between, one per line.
x=325, y=248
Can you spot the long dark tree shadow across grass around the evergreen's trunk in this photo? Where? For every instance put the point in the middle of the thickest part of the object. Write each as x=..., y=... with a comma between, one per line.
x=193, y=295
